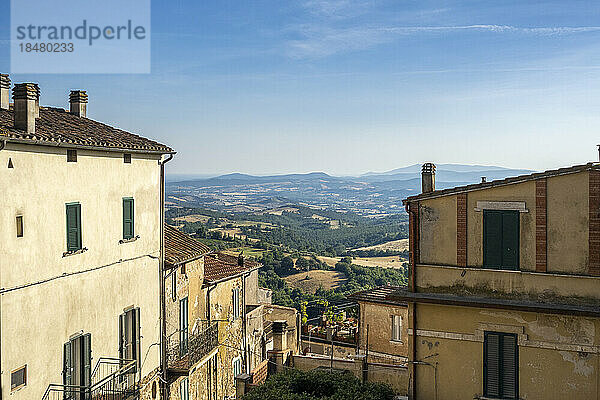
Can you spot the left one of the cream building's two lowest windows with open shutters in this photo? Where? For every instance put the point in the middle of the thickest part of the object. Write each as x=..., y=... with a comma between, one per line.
x=77, y=363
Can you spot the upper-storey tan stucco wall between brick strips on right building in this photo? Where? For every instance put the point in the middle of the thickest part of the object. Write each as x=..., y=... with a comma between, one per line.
x=567, y=225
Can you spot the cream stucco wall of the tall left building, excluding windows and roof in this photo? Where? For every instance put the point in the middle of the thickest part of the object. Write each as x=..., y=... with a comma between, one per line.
x=37, y=320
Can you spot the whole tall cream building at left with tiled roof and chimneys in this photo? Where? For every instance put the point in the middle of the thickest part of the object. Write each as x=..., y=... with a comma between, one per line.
x=79, y=227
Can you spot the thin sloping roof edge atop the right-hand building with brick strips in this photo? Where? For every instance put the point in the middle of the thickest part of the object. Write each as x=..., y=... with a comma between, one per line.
x=503, y=182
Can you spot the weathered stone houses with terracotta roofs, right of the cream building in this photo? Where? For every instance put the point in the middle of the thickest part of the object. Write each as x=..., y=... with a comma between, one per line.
x=217, y=330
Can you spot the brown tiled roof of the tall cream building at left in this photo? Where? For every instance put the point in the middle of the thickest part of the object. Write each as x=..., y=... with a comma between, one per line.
x=58, y=127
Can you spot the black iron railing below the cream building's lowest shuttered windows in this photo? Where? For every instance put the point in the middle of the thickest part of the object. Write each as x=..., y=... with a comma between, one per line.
x=112, y=379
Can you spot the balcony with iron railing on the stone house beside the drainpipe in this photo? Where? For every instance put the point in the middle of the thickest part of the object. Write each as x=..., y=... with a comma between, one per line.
x=182, y=355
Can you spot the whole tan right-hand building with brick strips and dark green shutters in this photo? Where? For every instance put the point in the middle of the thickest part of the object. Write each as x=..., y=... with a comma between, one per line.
x=504, y=287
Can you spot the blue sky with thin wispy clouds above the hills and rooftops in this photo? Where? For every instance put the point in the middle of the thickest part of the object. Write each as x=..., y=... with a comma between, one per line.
x=348, y=87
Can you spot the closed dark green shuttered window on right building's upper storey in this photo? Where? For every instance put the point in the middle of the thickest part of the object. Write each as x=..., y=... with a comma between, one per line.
x=501, y=239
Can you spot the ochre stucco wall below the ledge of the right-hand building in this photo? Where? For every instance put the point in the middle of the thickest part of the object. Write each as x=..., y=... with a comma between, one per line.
x=558, y=355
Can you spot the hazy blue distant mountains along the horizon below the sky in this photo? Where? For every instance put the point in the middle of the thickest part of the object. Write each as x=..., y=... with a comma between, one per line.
x=371, y=194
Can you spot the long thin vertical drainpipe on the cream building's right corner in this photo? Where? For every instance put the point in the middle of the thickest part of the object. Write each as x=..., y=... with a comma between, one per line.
x=161, y=277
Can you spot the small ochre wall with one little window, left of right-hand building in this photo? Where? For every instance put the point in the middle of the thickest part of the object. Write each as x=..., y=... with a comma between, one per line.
x=378, y=317
